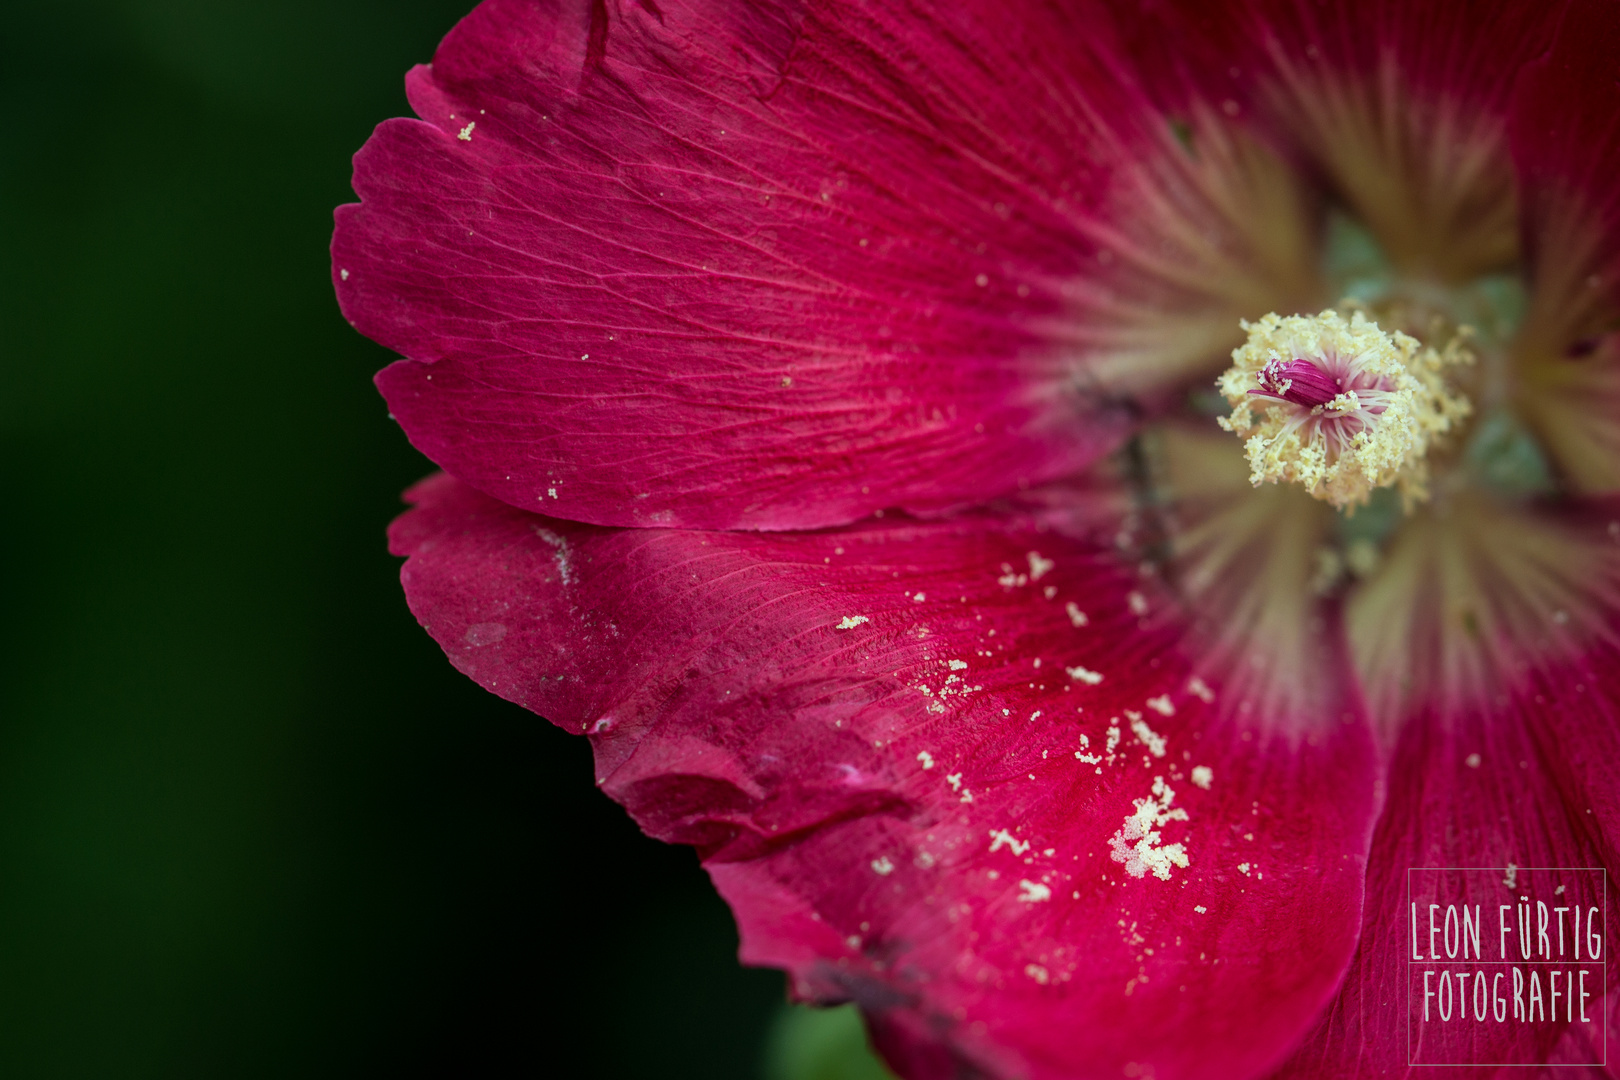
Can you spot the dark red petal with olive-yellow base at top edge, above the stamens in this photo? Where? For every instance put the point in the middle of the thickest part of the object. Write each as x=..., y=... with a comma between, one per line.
x=1400, y=109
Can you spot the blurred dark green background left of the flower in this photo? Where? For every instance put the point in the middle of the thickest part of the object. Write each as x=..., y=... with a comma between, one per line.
x=252, y=823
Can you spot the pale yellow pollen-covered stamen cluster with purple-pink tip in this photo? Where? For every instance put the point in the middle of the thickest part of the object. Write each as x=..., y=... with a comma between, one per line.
x=1341, y=407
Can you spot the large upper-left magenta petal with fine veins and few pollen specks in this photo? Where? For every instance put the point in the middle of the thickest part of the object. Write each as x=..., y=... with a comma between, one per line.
x=715, y=265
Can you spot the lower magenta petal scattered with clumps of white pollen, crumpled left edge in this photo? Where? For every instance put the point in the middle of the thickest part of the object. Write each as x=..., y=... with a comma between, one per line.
x=911, y=757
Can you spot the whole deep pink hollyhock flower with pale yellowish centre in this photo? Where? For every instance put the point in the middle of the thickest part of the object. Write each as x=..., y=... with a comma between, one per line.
x=827, y=394
